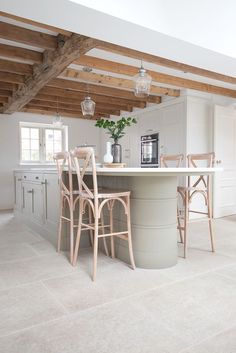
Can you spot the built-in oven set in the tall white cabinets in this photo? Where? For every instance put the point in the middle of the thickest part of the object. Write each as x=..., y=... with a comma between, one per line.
x=150, y=150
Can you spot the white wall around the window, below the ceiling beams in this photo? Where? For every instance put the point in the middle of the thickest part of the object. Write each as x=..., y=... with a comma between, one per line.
x=79, y=132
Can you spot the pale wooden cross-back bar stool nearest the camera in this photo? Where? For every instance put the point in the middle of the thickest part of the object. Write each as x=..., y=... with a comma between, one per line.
x=83, y=158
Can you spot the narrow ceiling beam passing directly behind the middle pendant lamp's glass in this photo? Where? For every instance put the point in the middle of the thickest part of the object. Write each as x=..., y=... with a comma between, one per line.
x=77, y=105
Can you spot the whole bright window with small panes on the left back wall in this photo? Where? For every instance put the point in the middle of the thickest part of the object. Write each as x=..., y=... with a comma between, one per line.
x=39, y=142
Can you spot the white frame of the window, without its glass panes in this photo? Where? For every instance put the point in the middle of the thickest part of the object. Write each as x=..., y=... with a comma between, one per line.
x=42, y=141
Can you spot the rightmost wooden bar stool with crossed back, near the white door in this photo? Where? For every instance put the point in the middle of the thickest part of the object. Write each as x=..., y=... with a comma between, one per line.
x=198, y=185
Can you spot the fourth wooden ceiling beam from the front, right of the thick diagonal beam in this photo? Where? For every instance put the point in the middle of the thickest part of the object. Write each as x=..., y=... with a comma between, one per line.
x=100, y=90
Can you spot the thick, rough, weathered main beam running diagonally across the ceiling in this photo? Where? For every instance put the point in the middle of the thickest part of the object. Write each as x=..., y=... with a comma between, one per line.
x=54, y=63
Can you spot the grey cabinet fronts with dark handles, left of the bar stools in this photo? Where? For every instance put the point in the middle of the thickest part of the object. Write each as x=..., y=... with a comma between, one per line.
x=37, y=201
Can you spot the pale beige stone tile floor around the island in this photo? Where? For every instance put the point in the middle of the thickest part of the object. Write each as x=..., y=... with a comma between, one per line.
x=48, y=306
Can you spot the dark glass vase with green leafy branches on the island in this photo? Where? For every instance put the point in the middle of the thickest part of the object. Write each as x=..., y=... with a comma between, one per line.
x=116, y=130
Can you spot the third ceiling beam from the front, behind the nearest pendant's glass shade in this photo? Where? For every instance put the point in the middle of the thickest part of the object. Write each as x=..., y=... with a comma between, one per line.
x=115, y=82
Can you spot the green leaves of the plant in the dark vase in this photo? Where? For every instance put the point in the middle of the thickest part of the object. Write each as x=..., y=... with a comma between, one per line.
x=116, y=128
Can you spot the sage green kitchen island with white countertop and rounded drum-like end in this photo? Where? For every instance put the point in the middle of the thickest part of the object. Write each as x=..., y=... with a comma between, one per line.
x=153, y=207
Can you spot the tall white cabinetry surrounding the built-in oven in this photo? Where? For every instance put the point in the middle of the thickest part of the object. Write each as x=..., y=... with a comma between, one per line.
x=168, y=119
